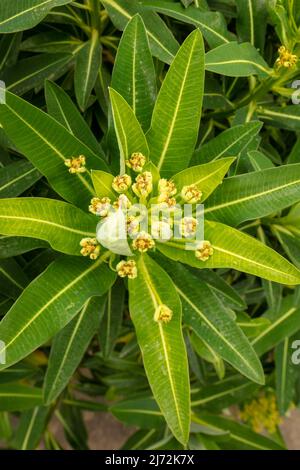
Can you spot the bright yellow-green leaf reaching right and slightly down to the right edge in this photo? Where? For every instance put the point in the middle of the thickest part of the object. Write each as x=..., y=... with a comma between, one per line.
x=236, y=250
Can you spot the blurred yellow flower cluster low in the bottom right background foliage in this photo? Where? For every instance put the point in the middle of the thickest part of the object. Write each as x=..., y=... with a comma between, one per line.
x=262, y=413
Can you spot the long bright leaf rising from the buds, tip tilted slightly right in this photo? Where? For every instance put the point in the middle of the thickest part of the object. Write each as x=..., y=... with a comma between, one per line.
x=176, y=116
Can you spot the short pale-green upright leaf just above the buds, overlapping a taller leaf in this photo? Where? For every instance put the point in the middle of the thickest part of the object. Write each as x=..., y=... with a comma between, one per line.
x=129, y=132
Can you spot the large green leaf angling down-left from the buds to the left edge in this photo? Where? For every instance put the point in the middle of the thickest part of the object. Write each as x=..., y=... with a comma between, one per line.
x=65, y=286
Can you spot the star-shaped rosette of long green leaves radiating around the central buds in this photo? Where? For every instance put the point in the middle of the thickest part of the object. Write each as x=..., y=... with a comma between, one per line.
x=168, y=289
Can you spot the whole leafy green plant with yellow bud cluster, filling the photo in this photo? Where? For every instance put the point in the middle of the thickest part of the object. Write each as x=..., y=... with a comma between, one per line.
x=170, y=321
